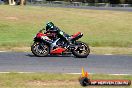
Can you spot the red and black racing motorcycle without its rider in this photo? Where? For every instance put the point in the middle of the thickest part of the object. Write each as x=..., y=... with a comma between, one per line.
x=59, y=46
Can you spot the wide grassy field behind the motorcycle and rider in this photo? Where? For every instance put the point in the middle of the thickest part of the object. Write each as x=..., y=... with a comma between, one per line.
x=18, y=25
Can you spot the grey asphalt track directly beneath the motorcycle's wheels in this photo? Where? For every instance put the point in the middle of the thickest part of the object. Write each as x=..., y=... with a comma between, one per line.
x=27, y=62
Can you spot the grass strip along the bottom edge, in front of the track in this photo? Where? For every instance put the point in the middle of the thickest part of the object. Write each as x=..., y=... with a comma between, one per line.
x=45, y=80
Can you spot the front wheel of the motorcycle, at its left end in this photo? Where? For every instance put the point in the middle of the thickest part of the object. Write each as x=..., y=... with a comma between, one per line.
x=40, y=49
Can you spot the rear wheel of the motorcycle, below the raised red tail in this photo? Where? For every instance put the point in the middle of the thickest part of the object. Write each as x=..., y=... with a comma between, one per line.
x=81, y=50
